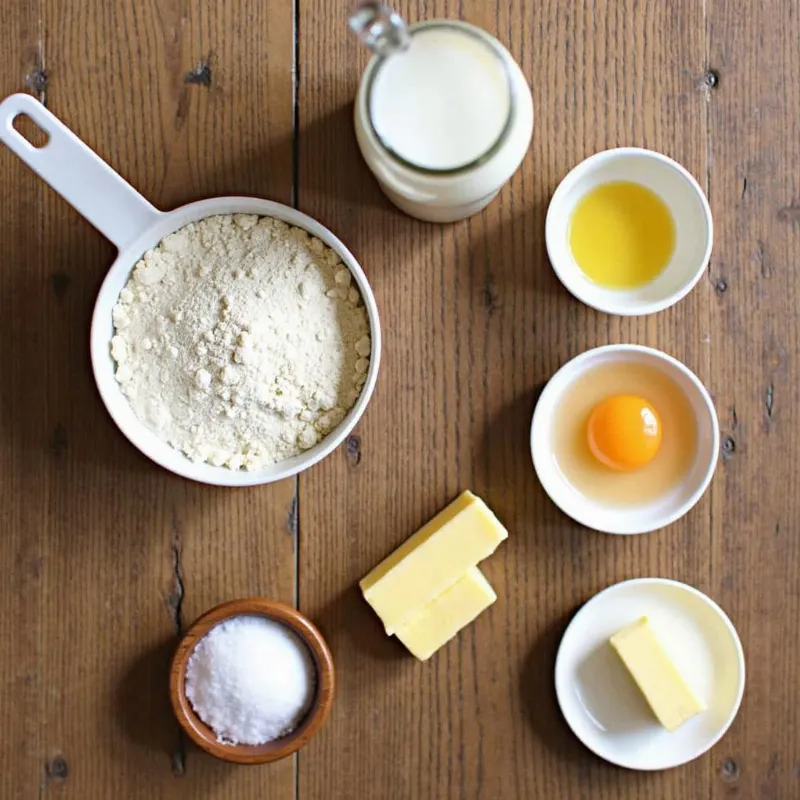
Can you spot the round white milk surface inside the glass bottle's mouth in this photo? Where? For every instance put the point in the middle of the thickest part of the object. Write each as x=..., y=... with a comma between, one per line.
x=442, y=103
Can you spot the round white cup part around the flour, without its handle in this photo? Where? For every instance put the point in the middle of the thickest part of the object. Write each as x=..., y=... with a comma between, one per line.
x=119, y=407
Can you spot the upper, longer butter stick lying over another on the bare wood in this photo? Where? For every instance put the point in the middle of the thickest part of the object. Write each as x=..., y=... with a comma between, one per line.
x=432, y=560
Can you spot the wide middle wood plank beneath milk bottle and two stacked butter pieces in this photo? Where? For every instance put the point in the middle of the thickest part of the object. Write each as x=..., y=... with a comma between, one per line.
x=474, y=323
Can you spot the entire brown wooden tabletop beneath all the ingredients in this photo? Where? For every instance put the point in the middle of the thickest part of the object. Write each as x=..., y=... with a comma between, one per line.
x=106, y=557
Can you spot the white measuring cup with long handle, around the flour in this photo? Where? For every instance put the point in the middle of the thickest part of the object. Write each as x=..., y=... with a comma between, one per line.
x=118, y=211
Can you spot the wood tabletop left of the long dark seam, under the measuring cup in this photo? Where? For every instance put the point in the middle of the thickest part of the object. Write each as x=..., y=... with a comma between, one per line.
x=115, y=555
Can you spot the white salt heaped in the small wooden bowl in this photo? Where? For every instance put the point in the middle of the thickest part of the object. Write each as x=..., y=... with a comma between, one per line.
x=251, y=680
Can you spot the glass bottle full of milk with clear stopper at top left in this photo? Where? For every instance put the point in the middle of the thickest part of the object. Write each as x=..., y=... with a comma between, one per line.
x=443, y=114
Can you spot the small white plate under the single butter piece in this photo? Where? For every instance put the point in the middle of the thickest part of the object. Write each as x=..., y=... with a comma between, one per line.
x=603, y=705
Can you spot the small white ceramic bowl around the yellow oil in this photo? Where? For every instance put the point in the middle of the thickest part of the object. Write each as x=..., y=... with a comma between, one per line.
x=694, y=230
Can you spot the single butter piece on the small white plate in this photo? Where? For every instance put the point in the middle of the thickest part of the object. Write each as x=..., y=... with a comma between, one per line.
x=666, y=692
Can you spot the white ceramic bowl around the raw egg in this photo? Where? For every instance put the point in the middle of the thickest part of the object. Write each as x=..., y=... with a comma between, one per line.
x=634, y=519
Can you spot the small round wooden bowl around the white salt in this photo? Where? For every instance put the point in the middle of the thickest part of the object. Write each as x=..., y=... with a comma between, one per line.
x=201, y=734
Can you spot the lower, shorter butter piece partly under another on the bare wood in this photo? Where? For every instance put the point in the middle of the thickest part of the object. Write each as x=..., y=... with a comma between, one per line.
x=441, y=619
